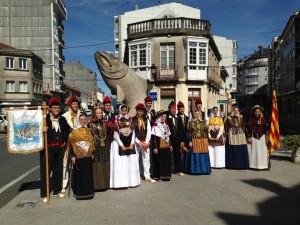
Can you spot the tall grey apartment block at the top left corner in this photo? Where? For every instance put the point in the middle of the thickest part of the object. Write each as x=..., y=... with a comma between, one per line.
x=37, y=26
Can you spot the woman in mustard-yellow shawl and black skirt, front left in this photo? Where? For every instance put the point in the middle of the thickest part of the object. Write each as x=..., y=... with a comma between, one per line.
x=81, y=147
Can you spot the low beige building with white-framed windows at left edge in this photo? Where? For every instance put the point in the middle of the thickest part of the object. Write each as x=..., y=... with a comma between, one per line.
x=21, y=75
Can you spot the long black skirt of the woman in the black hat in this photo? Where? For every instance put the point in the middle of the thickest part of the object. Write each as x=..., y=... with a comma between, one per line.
x=162, y=164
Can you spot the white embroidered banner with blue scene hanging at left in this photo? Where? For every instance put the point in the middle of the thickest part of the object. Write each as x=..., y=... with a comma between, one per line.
x=25, y=134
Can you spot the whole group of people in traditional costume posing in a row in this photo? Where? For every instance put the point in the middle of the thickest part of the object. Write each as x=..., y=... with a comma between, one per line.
x=117, y=151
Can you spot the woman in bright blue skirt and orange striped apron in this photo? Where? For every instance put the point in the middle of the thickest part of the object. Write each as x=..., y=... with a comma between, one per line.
x=197, y=158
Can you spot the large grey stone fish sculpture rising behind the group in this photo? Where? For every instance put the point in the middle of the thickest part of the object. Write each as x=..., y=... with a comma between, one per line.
x=122, y=81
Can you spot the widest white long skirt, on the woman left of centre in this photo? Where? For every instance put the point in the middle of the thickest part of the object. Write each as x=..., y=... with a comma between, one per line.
x=124, y=170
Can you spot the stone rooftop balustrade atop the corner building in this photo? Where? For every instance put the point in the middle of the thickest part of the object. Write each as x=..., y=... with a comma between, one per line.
x=168, y=26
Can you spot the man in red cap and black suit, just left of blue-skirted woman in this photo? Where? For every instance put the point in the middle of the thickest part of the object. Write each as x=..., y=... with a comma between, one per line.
x=185, y=121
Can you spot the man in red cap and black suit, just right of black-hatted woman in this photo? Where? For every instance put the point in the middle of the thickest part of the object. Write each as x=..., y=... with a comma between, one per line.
x=177, y=137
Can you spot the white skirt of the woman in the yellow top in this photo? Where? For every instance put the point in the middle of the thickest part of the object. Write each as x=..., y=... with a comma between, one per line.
x=217, y=156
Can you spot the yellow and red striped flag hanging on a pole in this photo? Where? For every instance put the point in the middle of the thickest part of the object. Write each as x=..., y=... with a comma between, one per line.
x=274, y=137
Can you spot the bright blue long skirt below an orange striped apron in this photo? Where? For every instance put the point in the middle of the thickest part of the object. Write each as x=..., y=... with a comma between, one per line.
x=197, y=163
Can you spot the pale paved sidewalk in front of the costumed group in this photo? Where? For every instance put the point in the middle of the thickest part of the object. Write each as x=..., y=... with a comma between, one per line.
x=231, y=197
